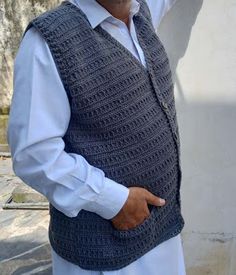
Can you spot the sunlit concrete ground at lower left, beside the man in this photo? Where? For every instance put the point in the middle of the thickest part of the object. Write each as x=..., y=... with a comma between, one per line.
x=24, y=245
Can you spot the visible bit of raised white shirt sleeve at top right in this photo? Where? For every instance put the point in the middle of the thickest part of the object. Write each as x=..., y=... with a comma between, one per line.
x=158, y=9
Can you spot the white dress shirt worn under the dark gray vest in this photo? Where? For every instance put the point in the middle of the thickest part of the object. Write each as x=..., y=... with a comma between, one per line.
x=39, y=117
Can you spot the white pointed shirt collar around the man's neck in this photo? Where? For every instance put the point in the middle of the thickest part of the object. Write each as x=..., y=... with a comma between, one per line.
x=96, y=13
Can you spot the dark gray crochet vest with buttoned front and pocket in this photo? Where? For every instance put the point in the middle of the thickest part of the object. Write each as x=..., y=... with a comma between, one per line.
x=123, y=121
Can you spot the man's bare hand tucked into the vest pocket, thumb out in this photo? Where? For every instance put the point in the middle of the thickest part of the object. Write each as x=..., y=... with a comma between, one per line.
x=135, y=209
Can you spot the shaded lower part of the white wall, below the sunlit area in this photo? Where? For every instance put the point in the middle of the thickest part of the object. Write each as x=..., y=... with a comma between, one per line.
x=208, y=142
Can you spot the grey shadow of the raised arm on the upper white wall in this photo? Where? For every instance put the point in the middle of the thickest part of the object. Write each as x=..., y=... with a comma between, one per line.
x=175, y=31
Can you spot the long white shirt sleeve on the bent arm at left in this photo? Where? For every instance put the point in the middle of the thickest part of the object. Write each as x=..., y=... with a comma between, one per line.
x=38, y=119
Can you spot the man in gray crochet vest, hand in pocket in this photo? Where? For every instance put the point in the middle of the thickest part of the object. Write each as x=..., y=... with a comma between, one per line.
x=93, y=127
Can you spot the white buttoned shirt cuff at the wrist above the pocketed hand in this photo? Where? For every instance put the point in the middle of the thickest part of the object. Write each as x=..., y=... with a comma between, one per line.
x=110, y=200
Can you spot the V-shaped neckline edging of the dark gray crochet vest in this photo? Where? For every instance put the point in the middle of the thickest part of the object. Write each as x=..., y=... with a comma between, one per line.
x=114, y=40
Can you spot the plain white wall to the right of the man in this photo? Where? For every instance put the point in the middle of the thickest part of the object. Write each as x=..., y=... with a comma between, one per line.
x=200, y=39
